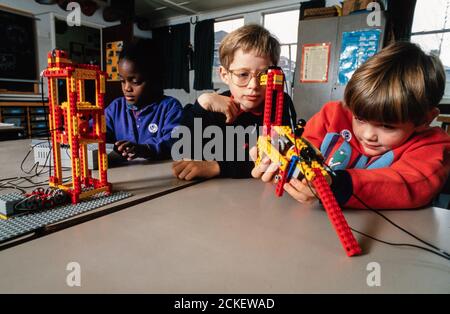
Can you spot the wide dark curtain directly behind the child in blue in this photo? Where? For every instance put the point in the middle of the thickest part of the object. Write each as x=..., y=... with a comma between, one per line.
x=174, y=43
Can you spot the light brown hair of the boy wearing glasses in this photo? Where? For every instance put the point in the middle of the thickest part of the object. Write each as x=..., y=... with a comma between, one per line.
x=250, y=37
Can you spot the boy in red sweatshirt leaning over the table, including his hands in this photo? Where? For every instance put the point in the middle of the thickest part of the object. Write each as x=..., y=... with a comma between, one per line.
x=378, y=141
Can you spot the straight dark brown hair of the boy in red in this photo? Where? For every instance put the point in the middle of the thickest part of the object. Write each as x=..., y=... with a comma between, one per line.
x=399, y=84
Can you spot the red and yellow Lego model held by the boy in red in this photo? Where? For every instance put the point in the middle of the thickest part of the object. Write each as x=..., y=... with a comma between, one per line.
x=297, y=157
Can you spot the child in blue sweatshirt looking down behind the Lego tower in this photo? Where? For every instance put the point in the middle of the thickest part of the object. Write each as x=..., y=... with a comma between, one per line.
x=140, y=123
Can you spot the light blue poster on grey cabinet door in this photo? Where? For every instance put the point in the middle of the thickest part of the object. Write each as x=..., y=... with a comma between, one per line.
x=357, y=47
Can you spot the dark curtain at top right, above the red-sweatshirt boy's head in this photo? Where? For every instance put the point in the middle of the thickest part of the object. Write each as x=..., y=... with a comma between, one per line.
x=400, y=15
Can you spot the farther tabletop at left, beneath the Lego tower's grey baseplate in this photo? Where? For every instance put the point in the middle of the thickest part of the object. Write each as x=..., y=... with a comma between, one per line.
x=143, y=179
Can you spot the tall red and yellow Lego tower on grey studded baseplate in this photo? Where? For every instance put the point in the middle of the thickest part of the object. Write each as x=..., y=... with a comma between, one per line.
x=75, y=123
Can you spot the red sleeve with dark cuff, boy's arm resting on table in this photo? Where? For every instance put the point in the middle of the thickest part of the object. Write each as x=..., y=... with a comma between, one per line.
x=411, y=182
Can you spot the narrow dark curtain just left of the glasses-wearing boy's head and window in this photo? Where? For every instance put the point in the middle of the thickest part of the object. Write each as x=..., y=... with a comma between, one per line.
x=204, y=54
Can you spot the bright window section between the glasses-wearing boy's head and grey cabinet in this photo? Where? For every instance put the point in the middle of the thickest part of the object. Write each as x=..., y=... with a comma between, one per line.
x=284, y=26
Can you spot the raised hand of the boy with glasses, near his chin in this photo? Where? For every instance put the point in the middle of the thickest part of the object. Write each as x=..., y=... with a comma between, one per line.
x=218, y=103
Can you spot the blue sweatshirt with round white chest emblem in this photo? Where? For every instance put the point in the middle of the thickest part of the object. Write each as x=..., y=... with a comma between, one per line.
x=151, y=125
